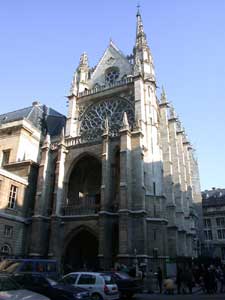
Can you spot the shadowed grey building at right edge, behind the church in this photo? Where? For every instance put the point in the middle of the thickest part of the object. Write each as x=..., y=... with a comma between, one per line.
x=213, y=207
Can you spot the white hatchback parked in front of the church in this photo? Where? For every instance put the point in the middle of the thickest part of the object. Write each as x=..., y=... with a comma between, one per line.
x=101, y=286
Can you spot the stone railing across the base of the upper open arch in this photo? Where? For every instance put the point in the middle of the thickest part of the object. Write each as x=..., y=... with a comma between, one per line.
x=86, y=206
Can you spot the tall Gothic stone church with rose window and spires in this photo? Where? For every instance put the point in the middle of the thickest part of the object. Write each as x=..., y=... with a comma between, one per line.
x=121, y=182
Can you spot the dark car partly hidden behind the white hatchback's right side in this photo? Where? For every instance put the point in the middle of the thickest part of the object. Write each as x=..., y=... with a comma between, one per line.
x=127, y=285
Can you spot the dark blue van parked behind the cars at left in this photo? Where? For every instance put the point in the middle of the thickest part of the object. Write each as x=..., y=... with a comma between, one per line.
x=47, y=267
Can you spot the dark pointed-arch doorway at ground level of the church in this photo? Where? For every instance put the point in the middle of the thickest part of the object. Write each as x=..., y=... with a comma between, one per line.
x=81, y=252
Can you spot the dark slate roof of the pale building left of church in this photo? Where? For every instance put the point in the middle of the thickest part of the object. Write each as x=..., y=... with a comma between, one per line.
x=39, y=116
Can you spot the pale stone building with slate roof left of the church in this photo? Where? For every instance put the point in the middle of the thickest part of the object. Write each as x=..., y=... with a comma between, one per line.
x=21, y=137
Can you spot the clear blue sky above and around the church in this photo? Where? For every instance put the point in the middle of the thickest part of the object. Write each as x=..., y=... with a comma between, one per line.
x=41, y=42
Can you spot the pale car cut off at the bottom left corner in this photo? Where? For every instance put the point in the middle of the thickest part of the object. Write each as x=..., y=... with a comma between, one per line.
x=10, y=290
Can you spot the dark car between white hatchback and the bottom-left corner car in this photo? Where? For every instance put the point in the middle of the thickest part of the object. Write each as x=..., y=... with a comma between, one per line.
x=46, y=286
